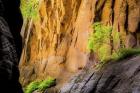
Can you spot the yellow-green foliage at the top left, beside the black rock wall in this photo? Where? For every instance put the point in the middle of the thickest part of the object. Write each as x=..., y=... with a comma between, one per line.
x=29, y=8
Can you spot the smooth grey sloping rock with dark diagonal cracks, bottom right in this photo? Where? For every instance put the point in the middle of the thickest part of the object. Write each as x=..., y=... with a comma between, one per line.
x=115, y=77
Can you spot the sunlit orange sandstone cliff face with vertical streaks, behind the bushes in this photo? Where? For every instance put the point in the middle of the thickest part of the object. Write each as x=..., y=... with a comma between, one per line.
x=56, y=42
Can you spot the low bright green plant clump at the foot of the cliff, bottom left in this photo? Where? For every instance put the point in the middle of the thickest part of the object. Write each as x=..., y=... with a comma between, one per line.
x=40, y=85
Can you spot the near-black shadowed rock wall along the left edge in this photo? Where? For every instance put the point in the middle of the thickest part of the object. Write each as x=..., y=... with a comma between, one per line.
x=9, y=50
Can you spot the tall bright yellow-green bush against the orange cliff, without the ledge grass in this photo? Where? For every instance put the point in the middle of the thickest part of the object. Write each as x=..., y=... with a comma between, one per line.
x=99, y=41
